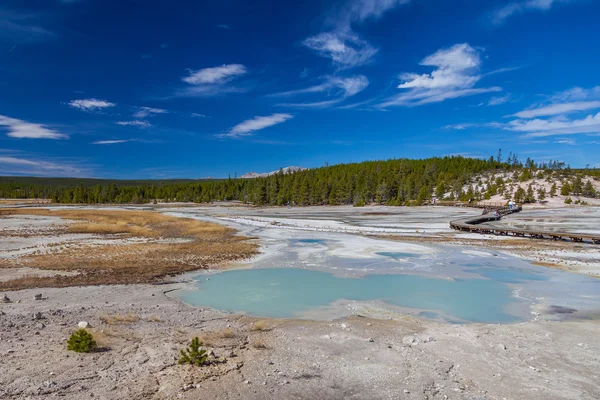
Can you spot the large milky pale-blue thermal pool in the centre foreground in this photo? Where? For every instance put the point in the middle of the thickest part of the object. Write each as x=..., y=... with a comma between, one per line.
x=288, y=292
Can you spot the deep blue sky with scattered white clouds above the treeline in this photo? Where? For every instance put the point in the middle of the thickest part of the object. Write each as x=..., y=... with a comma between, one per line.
x=165, y=89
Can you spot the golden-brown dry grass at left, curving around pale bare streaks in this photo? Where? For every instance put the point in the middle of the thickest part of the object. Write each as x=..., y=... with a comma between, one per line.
x=206, y=245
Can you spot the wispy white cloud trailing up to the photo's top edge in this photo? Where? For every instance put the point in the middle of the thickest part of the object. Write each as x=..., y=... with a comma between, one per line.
x=340, y=43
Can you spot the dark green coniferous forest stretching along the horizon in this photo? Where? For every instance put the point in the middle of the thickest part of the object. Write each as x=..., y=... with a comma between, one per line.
x=391, y=182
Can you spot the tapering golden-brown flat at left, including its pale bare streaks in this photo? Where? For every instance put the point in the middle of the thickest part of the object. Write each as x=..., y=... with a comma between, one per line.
x=91, y=246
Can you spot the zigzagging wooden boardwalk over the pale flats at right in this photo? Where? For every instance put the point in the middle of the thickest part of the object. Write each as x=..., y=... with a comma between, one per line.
x=477, y=225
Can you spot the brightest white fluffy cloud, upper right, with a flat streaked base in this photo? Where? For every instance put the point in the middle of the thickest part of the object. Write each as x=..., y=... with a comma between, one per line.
x=455, y=75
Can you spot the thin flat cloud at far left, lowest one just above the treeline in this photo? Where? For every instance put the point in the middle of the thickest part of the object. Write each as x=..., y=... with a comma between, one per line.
x=26, y=166
